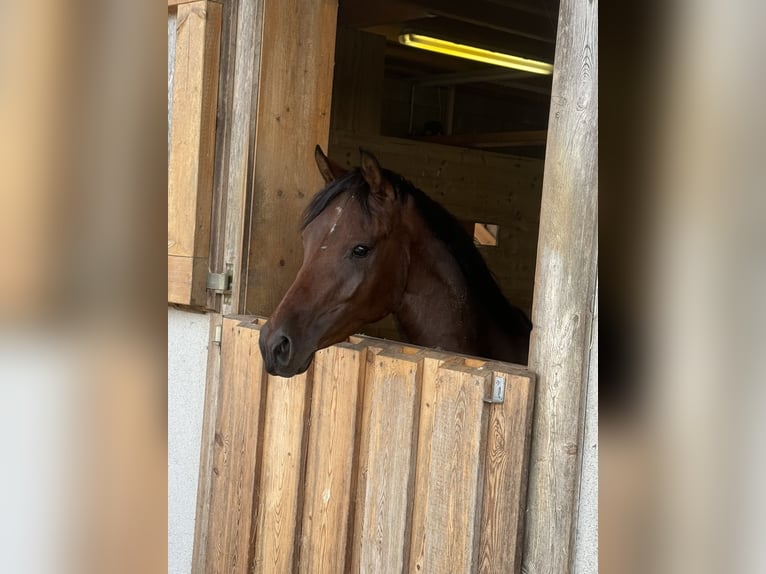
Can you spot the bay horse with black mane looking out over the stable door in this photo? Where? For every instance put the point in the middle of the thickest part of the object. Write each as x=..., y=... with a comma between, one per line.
x=376, y=245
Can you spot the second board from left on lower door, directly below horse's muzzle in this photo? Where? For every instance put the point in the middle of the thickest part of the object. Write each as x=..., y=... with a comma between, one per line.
x=285, y=414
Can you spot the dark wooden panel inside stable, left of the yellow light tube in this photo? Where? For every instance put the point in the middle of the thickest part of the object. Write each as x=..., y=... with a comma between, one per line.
x=357, y=95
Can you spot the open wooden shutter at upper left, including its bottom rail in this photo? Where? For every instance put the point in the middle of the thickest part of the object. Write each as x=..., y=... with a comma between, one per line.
x=194, y=34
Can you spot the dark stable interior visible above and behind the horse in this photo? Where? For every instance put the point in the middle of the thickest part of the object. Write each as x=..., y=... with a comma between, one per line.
x=470, y=134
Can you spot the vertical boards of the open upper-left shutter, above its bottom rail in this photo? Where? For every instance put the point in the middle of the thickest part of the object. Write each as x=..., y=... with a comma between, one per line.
x=190, y=163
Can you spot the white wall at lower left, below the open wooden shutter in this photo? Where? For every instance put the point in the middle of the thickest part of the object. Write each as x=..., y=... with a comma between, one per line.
x=187, y=361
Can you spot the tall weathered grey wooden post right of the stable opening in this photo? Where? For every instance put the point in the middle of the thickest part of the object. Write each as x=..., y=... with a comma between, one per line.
x=564, y=292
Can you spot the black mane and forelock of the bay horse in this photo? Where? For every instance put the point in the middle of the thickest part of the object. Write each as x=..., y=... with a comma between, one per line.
x=484, y=290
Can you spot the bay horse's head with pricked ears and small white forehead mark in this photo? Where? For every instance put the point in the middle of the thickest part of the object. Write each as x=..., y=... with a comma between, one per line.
x=354, y=270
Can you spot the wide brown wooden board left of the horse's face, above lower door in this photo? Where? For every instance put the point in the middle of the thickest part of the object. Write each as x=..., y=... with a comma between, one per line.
x=293, y=115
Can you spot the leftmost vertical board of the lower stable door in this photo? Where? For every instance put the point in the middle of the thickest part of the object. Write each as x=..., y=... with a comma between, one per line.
x=236, y=450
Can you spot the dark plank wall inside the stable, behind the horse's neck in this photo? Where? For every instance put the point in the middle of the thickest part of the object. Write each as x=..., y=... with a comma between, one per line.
x=475, y=186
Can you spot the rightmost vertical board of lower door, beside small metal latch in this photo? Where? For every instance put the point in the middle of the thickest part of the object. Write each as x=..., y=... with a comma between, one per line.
x=505, y=477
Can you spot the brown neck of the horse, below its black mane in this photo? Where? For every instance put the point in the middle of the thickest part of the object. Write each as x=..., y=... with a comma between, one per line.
x=436, y=309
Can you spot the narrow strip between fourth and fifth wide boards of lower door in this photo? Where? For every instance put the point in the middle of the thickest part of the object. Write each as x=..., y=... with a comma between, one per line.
x=428, y=406
